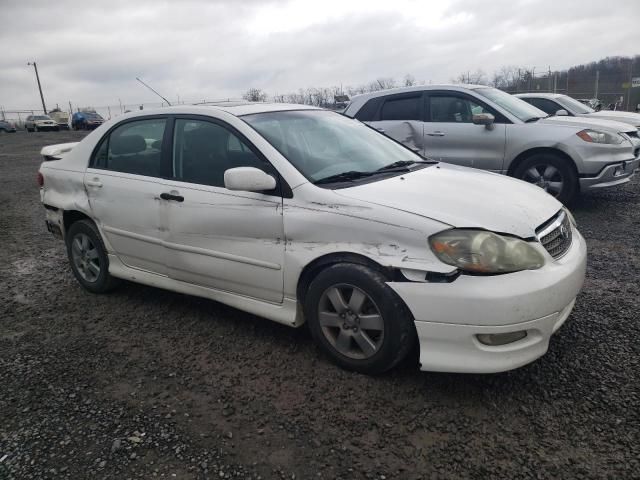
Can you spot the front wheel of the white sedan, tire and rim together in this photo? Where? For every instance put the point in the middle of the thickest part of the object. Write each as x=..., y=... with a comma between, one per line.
x=340, y=331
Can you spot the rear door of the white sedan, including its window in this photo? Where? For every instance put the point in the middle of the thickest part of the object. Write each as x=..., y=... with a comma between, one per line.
x=126, y=177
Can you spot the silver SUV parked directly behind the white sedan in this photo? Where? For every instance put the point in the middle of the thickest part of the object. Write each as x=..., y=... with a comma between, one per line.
x=482, y=127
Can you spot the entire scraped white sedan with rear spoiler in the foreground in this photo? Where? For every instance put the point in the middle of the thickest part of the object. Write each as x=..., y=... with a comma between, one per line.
x=300, y=214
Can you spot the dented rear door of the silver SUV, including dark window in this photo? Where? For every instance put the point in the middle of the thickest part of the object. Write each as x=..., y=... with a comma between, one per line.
x=400, y=117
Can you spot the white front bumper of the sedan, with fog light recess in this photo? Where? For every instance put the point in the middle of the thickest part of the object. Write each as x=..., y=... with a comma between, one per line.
x=449, y=316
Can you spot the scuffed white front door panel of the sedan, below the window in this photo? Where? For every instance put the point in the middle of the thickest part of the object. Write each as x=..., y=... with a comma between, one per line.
x=231, y=241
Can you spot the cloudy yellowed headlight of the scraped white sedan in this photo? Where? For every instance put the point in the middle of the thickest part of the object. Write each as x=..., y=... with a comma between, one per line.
x=479, y=251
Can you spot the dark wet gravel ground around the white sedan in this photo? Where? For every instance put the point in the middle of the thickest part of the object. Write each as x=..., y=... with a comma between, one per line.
x=143, y=383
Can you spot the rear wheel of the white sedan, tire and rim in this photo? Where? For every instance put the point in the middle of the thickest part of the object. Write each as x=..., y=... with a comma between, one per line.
x=86, y=252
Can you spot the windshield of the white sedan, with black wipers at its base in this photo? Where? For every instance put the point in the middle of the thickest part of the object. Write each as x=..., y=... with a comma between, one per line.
x=323, y=144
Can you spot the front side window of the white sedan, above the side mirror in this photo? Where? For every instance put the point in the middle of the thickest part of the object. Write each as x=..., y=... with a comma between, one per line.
x=203, y=151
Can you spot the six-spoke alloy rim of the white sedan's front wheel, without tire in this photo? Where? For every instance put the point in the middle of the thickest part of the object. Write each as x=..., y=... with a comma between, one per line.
x=351, y=321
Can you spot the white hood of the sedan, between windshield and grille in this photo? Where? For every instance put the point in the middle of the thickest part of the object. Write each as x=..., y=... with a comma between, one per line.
x=463, y=197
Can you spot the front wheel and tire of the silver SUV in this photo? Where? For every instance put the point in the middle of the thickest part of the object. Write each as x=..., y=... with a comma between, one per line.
x=555, y=174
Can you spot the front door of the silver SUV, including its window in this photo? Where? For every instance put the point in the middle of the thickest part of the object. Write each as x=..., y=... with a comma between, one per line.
x=451, y=136
